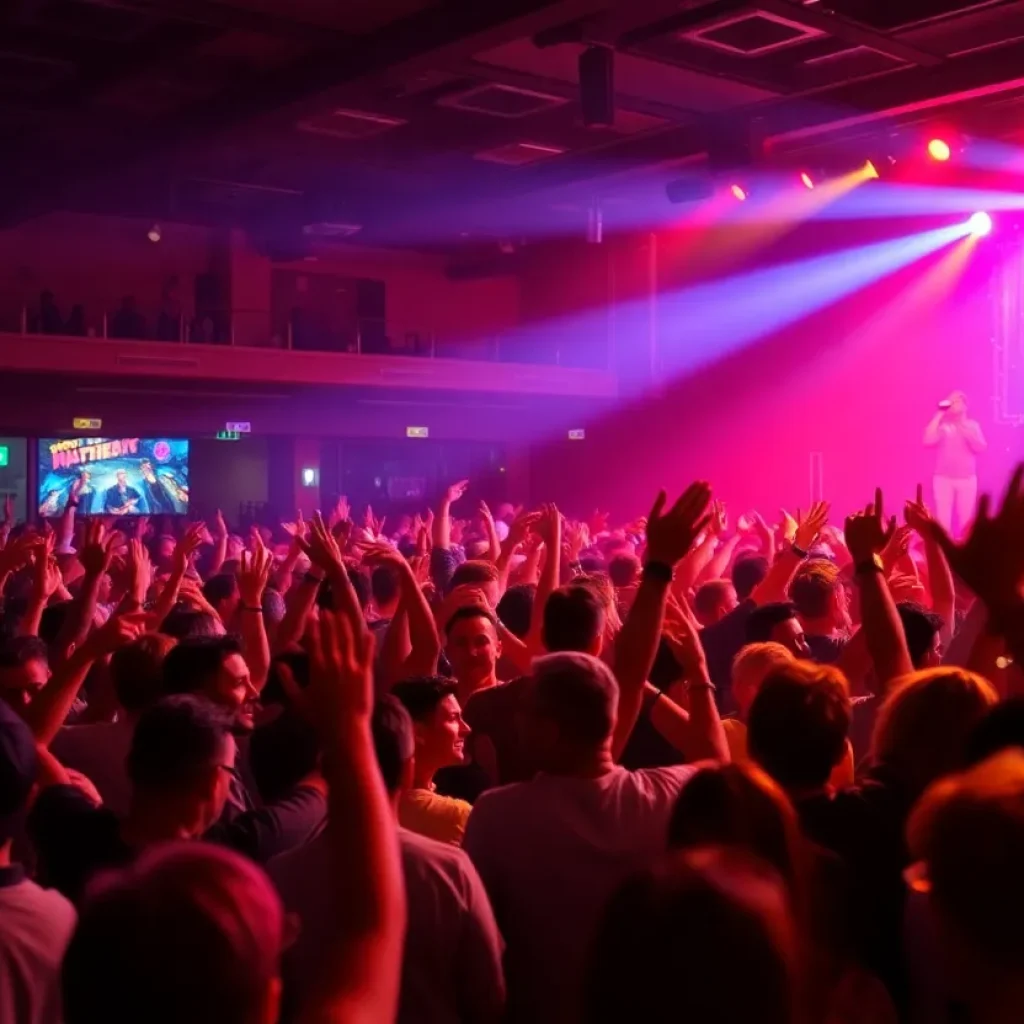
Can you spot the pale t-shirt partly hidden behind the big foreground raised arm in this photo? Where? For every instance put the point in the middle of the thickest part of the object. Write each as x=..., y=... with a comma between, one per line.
x=452, y=968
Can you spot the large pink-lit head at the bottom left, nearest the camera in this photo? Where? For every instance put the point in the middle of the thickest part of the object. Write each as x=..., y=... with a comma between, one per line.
x=191, y=932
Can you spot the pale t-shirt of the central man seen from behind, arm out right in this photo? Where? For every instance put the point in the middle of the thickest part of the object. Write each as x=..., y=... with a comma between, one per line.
x=551, y=852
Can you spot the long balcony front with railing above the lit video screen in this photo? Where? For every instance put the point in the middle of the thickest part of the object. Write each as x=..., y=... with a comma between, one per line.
x=243, y=347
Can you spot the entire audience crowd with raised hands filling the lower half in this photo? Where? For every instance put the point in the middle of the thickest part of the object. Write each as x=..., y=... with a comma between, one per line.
x=515, y=767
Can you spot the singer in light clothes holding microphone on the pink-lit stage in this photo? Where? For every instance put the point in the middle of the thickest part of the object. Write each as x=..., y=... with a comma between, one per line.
x=958, y=442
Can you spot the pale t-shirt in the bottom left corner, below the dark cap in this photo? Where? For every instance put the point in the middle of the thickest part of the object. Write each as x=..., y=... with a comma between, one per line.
x=36, y=926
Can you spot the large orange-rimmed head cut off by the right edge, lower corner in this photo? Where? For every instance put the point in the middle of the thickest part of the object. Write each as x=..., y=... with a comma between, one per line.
x=966, y=837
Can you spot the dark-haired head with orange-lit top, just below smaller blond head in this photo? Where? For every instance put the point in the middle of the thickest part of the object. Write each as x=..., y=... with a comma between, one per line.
x=798, y=724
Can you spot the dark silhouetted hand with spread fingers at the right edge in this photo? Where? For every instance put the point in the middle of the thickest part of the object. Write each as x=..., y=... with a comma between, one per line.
x=991, y=562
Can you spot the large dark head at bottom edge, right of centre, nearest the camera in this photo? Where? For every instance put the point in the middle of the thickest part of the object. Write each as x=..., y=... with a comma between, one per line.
x=710, y=933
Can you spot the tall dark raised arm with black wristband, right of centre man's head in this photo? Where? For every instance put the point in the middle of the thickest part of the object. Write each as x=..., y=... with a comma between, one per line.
x=670, y=537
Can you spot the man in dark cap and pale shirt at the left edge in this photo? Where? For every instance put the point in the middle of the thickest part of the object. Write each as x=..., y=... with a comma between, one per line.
x=35, y=924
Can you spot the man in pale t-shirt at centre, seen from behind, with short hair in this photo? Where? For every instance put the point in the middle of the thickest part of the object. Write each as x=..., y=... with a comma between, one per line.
x=551, y=851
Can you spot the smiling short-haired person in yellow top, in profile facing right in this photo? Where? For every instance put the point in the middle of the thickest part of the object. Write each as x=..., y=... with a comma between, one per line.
x=441, y=737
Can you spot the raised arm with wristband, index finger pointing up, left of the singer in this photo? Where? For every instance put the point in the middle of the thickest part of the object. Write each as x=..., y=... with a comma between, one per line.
x=867, y=536
